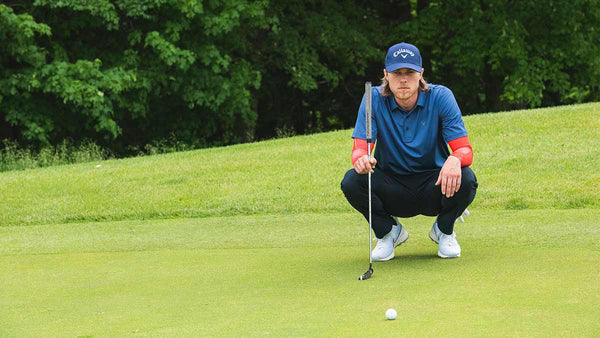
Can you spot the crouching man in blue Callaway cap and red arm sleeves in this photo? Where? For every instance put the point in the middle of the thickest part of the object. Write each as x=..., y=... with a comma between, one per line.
x=413, y=173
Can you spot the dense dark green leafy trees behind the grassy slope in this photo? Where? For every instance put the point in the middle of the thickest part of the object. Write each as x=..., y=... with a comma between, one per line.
x=124, y=73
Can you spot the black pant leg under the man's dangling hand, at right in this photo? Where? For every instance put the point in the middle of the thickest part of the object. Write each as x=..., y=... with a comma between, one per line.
x=449, y=209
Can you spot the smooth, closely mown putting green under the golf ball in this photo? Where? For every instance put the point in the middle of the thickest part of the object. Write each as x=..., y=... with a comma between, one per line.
x=523, y=273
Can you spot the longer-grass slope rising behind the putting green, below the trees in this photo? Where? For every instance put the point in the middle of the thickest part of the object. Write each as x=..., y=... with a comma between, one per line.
x=545, y=158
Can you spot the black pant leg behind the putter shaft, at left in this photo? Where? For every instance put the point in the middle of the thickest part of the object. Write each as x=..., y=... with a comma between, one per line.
x=388, y=197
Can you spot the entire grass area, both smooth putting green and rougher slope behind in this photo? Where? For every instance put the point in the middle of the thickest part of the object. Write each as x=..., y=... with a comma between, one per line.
x=257, y=239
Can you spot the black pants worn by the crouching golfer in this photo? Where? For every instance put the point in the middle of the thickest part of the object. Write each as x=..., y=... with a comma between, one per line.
x=407, y=196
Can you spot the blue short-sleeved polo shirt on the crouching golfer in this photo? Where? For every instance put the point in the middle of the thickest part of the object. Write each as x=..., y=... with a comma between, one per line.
x=416, y=141
